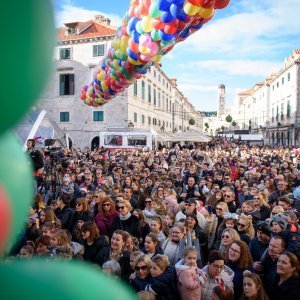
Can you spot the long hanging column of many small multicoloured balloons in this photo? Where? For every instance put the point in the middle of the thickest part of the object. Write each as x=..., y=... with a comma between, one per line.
x=150, y=29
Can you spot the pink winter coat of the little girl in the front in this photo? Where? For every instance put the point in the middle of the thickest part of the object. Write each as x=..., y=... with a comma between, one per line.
x=189, y=281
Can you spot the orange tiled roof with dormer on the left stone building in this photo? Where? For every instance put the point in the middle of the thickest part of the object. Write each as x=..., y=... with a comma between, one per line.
x=87, y=29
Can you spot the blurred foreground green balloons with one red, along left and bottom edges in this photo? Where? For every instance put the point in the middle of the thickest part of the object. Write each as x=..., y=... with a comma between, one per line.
x=33, y=28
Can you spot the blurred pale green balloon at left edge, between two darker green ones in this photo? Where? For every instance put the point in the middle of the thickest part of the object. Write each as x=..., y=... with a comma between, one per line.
x=16, y=177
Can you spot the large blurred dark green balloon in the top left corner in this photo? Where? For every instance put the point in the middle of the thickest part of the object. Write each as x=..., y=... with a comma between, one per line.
x=26, y=58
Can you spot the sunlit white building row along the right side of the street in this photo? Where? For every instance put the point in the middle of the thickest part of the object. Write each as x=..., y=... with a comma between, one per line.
x=272, y=107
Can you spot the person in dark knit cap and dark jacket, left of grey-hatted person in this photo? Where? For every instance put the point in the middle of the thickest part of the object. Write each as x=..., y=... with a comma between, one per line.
x=260, y=243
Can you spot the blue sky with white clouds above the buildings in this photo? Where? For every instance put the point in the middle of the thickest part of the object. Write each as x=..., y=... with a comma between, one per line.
x=242, y=45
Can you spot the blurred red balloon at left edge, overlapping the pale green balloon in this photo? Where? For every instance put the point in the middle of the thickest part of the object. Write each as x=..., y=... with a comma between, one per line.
x=5, y=218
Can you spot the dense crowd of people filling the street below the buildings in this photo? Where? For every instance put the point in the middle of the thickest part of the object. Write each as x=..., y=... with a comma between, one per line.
x=216, y=220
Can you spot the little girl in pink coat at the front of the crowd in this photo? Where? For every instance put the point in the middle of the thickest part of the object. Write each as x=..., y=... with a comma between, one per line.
x=189, y=276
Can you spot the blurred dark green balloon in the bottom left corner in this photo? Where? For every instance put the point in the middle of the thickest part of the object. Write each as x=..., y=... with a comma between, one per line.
x=48, y=280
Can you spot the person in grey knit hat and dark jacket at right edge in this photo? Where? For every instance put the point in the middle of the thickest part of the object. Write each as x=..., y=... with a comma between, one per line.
x=281, y=227
